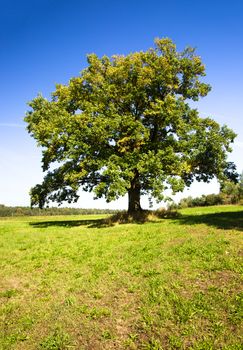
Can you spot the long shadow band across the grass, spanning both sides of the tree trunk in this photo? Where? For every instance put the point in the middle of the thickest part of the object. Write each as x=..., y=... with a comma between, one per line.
x=222, y=220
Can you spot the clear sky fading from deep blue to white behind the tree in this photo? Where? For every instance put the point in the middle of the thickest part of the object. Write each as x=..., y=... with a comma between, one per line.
x=45, y=42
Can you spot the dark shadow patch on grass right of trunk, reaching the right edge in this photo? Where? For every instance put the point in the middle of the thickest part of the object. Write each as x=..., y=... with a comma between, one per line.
x=223, y=220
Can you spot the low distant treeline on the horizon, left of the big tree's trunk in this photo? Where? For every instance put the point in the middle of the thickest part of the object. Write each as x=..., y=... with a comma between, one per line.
x=27, y=211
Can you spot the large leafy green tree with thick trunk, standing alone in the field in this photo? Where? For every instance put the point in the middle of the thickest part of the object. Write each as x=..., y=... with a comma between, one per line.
x=125, y=125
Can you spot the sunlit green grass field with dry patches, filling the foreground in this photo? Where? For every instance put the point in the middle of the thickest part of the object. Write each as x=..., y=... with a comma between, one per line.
x=76, y=283
